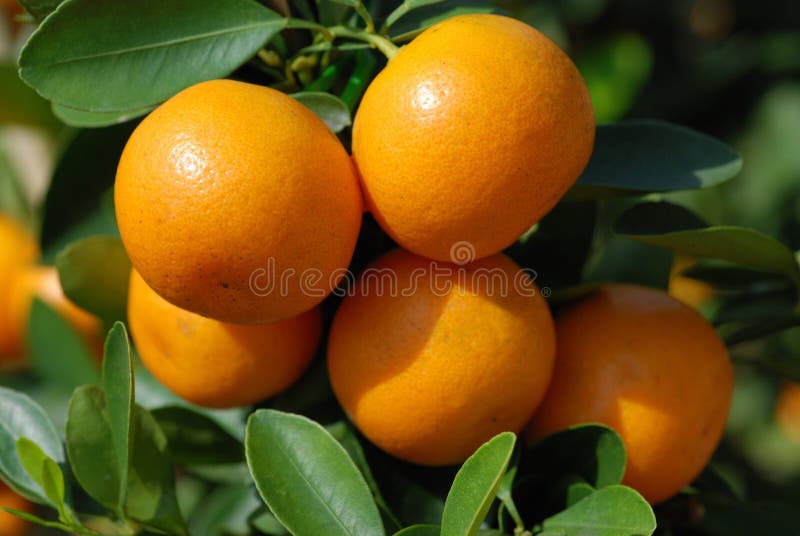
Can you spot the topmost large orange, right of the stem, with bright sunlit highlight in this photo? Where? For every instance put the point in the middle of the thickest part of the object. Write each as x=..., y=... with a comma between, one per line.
x=471, y=133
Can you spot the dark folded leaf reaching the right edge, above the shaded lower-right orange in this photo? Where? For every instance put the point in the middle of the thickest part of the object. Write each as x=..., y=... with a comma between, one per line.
x=671, y=226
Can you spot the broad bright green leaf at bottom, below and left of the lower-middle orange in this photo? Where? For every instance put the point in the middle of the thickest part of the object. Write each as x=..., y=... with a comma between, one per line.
x=306, y=478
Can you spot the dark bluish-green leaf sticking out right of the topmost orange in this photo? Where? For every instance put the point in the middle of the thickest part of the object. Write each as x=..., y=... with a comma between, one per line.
x=635, y=157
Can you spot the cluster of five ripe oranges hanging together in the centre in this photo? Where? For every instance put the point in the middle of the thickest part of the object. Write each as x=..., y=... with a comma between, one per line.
x=240, y=211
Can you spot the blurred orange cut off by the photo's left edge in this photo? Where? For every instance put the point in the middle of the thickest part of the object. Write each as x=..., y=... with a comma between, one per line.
x=17, y=249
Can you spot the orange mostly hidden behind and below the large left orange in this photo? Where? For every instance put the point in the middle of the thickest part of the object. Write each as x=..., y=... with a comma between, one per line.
x=215, y=364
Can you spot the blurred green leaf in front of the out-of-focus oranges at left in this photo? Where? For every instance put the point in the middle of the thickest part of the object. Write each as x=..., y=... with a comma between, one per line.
x=58, y=353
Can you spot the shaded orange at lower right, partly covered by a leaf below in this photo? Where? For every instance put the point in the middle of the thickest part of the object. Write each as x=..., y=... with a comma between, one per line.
x=650, y=367
